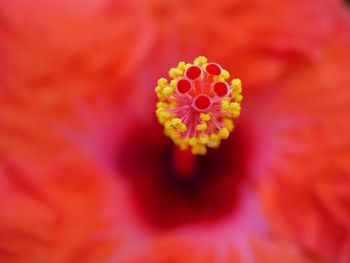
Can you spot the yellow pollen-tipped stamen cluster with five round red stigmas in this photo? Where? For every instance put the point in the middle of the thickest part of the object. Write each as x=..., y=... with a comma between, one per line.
x=198, y=106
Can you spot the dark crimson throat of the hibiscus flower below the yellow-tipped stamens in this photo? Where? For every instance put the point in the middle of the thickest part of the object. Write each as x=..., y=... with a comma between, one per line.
x=171, y=188
